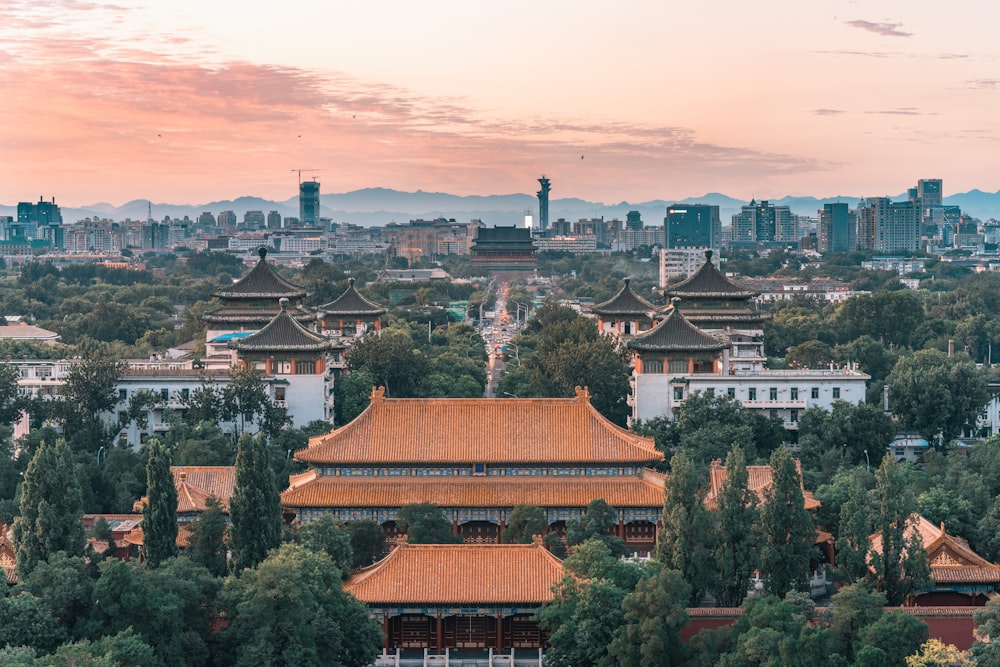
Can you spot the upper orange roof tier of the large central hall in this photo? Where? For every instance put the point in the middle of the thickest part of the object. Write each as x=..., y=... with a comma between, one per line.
x=479, y=430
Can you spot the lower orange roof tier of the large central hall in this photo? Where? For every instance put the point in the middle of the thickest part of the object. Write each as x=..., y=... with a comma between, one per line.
x=645, y=491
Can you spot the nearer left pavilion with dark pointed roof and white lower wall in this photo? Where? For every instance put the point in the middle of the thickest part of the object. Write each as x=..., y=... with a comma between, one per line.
x=294, y=358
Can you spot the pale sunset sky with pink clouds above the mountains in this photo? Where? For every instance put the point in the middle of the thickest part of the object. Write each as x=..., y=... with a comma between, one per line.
x=193, y=101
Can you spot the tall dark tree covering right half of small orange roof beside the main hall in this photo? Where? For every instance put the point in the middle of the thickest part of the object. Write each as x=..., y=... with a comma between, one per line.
x=786, y=528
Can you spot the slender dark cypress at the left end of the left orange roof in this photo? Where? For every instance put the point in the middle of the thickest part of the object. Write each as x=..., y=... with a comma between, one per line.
x=159, y=516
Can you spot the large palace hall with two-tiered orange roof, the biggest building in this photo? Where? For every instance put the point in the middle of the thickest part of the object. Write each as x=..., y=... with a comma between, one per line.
x=477, y=459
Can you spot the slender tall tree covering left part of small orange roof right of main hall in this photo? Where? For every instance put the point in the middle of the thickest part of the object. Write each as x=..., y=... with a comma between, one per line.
x=736, y=515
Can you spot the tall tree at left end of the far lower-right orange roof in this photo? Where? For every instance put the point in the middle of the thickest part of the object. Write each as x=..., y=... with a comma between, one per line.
x=900, y=565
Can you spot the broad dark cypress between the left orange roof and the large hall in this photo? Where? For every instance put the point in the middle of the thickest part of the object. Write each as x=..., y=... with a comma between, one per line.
x=255, y=506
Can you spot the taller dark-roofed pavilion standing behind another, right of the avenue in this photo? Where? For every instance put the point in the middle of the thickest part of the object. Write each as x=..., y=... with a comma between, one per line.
x=715, y=304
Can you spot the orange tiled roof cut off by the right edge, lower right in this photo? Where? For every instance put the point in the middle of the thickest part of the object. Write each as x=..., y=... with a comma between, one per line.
x=951, y=559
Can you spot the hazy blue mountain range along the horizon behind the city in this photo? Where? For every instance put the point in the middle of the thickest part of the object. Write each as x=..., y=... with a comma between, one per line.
x=378, y=206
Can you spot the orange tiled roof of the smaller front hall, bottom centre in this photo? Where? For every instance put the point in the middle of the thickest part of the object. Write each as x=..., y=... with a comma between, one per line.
x=468, y=574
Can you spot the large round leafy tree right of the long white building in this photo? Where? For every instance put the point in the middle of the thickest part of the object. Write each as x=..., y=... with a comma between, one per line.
x=936, y=395
